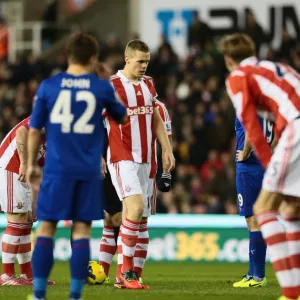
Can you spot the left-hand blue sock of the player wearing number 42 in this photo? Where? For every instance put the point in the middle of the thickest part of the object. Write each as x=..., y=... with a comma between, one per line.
x=42, y=262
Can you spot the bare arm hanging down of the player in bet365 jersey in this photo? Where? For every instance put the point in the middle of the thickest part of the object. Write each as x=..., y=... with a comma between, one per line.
x=162, y=136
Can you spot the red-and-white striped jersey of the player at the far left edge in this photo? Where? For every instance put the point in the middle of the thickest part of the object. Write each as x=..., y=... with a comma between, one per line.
x=9, y=156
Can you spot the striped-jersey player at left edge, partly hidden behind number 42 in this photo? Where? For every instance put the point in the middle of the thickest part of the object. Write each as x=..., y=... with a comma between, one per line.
x=15, y=200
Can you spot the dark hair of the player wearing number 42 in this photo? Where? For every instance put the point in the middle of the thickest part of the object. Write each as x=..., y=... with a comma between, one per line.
x=81, y=47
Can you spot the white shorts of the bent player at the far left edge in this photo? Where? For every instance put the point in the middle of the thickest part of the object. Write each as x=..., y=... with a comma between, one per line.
x=15, y=196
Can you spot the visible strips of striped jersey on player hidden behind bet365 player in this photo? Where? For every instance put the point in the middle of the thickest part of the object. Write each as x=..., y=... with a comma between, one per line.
x=167, y=121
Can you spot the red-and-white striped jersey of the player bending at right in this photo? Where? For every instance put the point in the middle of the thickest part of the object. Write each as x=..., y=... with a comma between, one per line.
x=263, y=87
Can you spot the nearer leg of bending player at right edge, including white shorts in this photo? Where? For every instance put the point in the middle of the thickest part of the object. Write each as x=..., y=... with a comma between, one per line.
x=281, y=180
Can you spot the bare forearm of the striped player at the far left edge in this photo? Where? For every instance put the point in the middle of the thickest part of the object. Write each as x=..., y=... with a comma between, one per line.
x=21, y=142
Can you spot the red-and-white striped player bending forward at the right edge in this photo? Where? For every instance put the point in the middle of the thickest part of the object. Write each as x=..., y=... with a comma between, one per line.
x=263, y=86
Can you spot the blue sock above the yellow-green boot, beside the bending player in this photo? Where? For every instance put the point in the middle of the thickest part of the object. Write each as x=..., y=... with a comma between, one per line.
x=258, y=255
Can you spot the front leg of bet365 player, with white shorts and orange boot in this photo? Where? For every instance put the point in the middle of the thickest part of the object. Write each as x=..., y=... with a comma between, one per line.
x=125, y=178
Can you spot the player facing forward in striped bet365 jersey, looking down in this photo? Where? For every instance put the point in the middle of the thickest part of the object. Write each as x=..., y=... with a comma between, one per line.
x=131, y=148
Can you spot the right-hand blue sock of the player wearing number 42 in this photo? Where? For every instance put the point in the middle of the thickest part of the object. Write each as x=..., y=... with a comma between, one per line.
x=79, y=266
